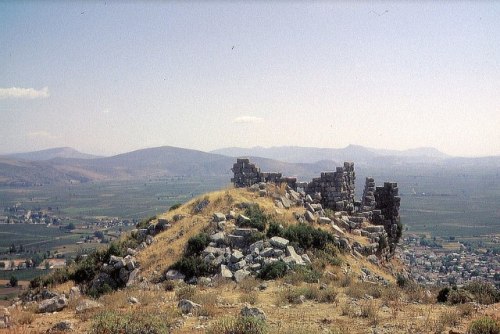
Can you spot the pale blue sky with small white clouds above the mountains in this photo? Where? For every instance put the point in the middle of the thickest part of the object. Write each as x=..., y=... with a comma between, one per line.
x=107, y=77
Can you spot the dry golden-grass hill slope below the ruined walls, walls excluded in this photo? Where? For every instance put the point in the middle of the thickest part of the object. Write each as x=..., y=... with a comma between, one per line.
x=339, y=292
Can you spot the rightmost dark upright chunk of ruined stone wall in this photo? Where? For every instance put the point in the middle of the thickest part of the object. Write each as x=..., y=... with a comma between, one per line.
x=386, y=211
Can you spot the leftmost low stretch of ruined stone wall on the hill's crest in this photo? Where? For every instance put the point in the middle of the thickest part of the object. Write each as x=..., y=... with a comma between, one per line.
x=247, y=174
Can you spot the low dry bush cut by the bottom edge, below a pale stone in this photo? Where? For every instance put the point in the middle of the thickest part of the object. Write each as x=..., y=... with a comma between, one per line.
x=238, y=325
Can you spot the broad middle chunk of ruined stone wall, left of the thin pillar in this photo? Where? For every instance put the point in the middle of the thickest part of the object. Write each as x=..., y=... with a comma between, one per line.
x=336, y=188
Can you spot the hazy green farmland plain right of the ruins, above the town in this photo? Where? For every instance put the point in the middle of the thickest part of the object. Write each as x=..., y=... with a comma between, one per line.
x=445, y=202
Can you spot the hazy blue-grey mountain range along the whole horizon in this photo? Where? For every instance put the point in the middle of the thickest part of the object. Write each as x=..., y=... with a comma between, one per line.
x=60, y=165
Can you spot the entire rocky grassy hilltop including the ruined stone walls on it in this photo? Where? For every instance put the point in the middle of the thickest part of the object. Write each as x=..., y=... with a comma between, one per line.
x=269, y=255
